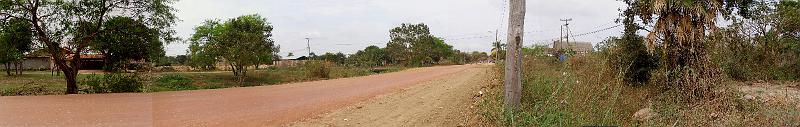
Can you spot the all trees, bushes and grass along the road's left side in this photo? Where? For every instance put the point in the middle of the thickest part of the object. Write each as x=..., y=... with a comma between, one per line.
x=223, y=53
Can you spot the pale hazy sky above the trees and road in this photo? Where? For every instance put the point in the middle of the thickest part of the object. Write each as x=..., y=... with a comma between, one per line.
x=350, y=25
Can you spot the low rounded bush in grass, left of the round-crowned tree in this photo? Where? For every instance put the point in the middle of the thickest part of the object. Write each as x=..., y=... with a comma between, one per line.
x=175, y=82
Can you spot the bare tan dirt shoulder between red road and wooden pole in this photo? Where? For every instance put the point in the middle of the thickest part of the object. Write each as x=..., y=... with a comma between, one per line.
x=447, y=101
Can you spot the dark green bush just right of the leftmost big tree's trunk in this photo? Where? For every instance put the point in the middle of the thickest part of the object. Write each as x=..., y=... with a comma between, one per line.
x=112, y=83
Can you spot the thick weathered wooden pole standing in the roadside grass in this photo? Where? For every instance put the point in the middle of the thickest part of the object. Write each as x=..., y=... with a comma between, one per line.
x=516, y=28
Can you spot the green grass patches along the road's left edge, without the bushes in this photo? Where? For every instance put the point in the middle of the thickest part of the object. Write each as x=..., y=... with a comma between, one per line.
x=43, y=83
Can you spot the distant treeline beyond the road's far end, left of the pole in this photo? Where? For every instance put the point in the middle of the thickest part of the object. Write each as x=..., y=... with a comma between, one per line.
x=410, y=45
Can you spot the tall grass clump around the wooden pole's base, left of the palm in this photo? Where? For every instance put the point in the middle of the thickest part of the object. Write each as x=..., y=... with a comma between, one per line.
x=579, y=92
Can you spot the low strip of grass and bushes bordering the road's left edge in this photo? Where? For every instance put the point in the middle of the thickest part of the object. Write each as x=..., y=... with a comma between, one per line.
x=43, y=83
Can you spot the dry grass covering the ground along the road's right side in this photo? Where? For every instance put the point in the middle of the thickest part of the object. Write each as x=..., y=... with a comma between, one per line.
x=584, y=92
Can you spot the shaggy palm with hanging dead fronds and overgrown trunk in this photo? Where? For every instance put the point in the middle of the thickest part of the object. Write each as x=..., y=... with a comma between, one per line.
x=679, y=33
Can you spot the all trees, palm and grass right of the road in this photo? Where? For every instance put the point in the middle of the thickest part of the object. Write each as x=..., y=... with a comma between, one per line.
x=743, y=74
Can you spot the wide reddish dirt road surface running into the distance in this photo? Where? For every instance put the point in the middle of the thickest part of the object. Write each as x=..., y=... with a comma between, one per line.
x=237, y=107
